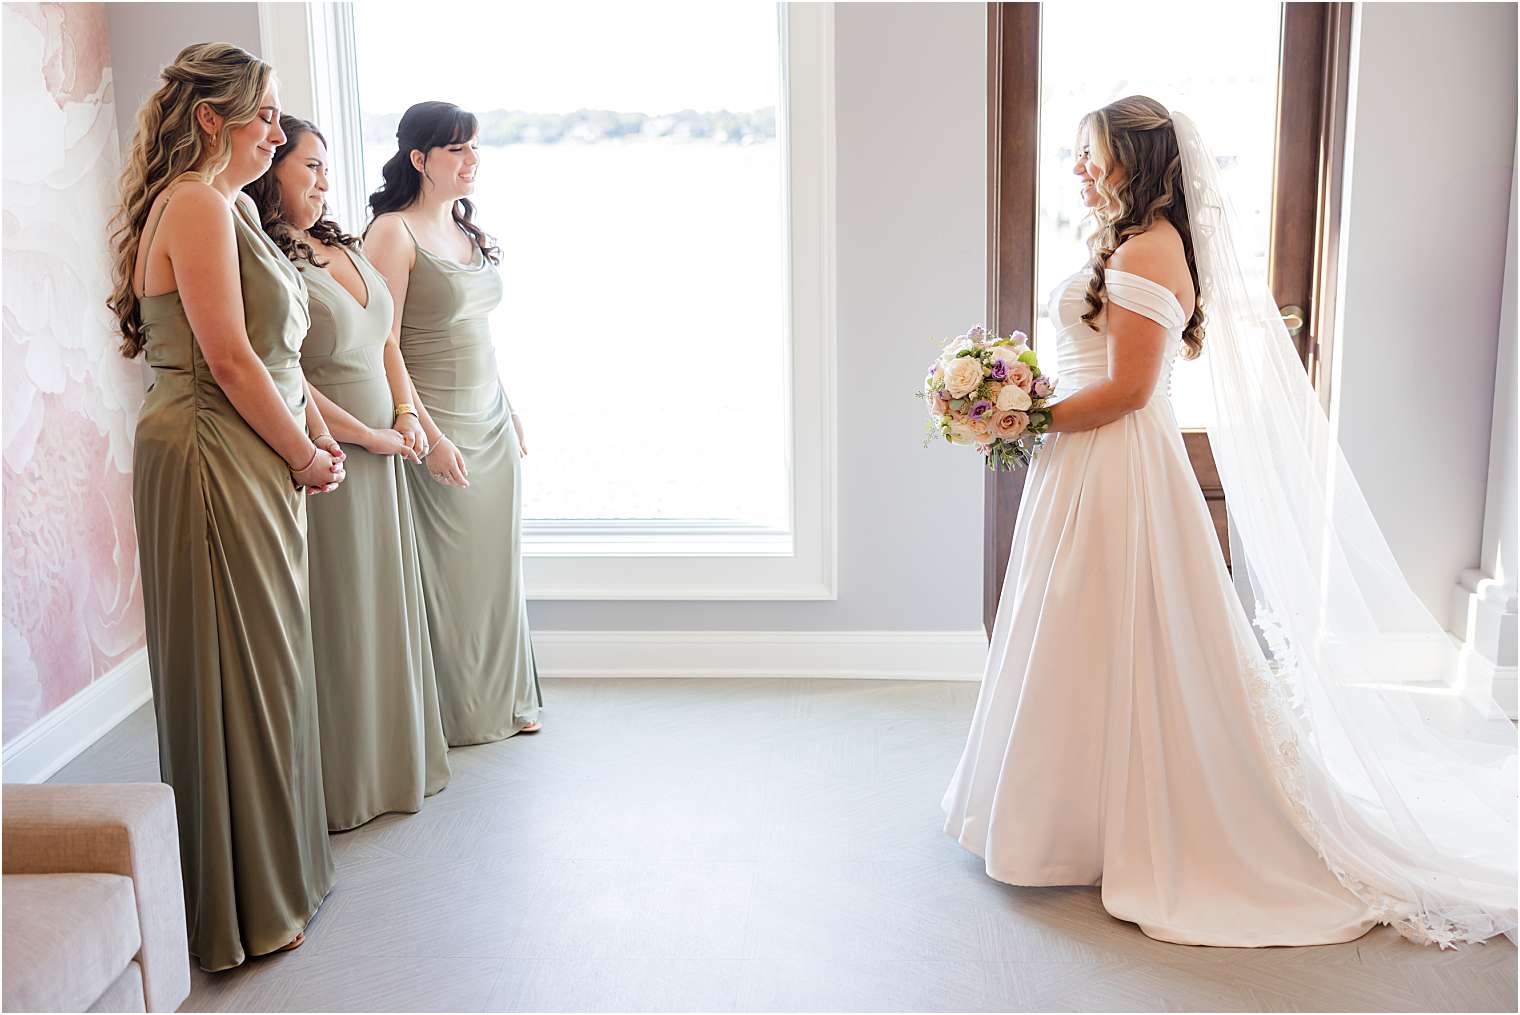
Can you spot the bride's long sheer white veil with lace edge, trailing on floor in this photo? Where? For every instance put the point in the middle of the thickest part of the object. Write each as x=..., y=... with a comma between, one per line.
x=1399, y=768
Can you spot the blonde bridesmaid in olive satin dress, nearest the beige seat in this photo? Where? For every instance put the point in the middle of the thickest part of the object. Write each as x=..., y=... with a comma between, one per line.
x=220, y=464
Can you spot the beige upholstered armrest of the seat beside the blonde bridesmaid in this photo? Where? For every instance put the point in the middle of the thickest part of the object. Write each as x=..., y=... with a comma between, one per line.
x=124, y=829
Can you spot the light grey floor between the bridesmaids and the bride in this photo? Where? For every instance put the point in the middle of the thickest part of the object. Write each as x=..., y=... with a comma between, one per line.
x=750, y=846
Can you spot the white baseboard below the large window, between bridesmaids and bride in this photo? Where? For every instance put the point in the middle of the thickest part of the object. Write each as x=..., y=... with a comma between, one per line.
x=905, y=656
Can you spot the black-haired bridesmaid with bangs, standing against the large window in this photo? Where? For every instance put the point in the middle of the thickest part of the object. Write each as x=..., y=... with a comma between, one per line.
x=442, y=271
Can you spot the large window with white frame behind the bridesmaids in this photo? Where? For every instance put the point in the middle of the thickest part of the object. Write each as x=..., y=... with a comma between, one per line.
x=659, y=179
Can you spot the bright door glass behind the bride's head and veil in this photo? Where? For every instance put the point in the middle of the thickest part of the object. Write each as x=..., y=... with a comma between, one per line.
x=1217, y=63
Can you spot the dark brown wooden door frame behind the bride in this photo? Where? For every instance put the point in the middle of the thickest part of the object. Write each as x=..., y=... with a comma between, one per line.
x=1314, y=78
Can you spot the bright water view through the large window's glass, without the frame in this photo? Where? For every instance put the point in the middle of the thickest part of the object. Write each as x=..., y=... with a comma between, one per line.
x=630, y=171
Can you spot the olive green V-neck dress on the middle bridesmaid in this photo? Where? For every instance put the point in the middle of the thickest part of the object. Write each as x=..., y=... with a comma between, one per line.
x=378, y=703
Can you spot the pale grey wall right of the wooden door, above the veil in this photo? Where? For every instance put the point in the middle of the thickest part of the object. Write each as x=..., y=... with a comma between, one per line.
x=1433, y=122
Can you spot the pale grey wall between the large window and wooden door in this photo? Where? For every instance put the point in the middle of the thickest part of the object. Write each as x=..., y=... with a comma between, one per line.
x=911, y=229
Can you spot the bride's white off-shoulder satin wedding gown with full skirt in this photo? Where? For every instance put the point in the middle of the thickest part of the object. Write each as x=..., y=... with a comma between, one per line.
x=1115, y=741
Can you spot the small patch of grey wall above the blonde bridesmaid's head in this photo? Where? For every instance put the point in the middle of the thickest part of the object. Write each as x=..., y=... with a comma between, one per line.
x=147, y=37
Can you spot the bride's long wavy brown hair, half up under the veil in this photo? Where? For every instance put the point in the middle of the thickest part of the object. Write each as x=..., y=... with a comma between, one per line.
x=1136, y=134
